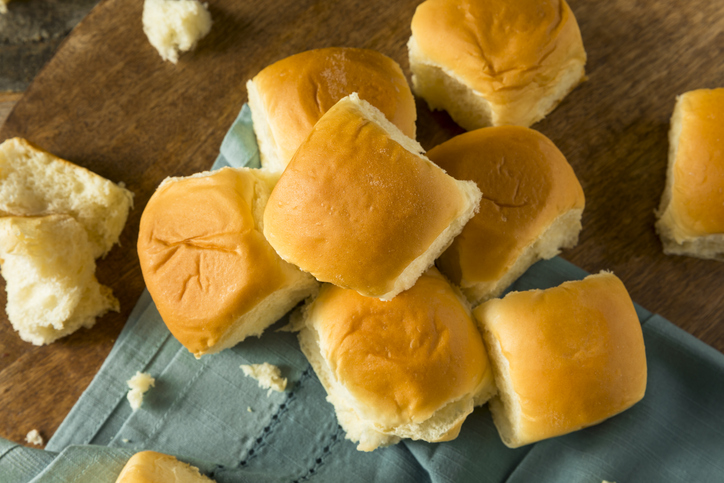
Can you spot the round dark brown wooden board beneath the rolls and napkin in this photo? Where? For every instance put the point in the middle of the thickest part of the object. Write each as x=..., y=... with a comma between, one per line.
x=107, y=102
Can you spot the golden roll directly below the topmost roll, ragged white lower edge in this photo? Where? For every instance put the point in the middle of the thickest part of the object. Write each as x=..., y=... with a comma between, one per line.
x=413, y=367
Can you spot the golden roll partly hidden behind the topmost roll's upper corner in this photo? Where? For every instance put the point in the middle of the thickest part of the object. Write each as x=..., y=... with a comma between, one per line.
x=288, y=97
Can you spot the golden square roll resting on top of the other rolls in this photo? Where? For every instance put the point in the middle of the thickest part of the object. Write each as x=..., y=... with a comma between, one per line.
x=360, y=207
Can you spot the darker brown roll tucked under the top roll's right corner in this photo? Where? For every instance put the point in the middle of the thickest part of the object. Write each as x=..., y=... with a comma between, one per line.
x=532, y=205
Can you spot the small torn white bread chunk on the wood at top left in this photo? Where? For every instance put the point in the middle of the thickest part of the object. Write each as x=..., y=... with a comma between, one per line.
x=175, y=26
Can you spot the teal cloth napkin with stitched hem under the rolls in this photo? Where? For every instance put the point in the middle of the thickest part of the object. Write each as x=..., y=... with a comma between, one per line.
x=209, y=414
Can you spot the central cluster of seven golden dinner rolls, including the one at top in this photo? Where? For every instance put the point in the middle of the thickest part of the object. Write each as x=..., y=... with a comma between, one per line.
x=401, y=255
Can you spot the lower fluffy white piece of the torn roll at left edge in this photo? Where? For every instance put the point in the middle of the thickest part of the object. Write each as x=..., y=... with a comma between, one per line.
x=49, y=267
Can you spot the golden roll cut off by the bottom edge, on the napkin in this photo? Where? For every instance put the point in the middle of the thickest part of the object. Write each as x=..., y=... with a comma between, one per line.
x=153, y=467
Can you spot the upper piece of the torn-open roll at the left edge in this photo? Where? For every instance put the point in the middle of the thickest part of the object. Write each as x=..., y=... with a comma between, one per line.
x=35, y=182
